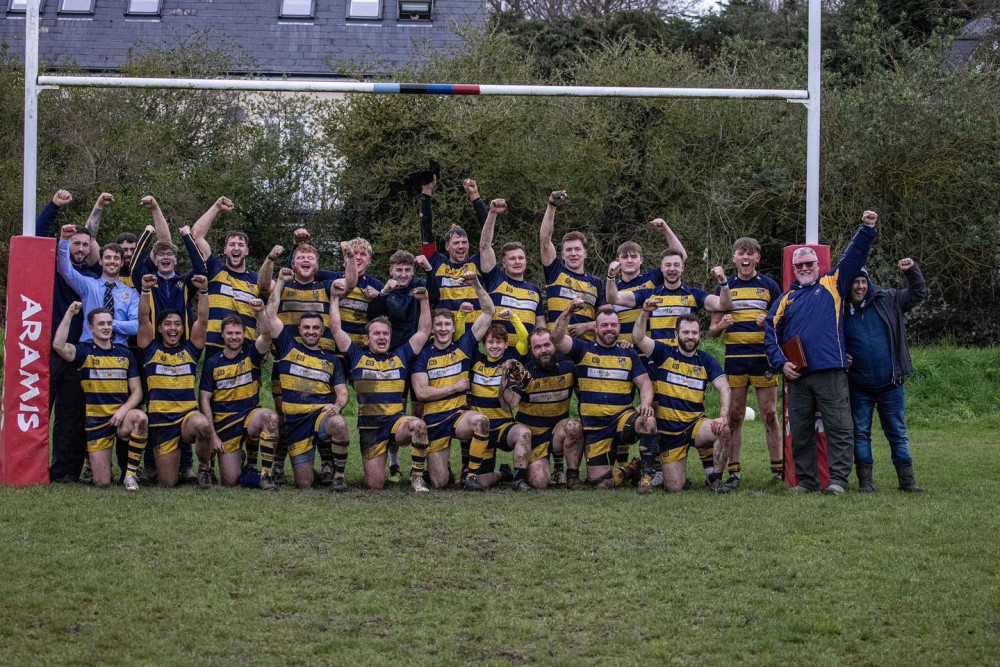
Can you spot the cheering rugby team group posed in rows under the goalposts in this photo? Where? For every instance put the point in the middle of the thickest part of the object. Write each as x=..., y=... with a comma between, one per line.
x=473, y=353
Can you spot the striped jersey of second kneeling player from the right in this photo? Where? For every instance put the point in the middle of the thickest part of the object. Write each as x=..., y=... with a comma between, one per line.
x=604, y=380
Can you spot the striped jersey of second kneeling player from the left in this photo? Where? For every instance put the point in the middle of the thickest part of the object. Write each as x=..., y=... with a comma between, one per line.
x=170, y=381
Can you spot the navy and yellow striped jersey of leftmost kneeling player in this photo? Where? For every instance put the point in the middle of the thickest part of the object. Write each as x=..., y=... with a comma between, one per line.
x=104, y=375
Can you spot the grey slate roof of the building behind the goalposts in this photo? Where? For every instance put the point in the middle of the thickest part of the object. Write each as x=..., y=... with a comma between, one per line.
x=312, y=48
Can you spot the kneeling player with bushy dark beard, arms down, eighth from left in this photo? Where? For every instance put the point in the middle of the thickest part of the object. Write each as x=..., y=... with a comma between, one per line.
x=541, y=395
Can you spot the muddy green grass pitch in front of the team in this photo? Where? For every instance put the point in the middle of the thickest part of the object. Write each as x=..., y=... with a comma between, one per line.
x=185, y=576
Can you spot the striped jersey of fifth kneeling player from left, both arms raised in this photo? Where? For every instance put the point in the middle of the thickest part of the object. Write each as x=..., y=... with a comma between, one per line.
x=379, y=382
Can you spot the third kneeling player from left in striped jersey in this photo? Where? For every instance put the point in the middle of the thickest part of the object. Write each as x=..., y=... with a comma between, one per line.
x=230, y=397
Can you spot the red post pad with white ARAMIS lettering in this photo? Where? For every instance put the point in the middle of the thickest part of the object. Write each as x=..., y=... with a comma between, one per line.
x=24, y=430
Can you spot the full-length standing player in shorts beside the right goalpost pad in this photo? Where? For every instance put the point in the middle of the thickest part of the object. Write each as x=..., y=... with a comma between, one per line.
x=752, y=295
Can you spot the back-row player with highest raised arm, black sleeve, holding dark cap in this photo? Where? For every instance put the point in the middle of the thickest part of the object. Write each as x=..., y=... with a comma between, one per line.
x=448, y=289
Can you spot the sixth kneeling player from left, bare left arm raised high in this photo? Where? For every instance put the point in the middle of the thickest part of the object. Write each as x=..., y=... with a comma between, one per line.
x=441, y=380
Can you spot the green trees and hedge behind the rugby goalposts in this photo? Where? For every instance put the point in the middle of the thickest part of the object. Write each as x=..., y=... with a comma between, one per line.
x=900, y=135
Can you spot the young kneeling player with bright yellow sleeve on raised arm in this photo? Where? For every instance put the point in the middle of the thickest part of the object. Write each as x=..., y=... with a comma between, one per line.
x=487, y=374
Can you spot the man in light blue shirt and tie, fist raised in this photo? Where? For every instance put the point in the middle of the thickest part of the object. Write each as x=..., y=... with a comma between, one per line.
x=108, y=291
